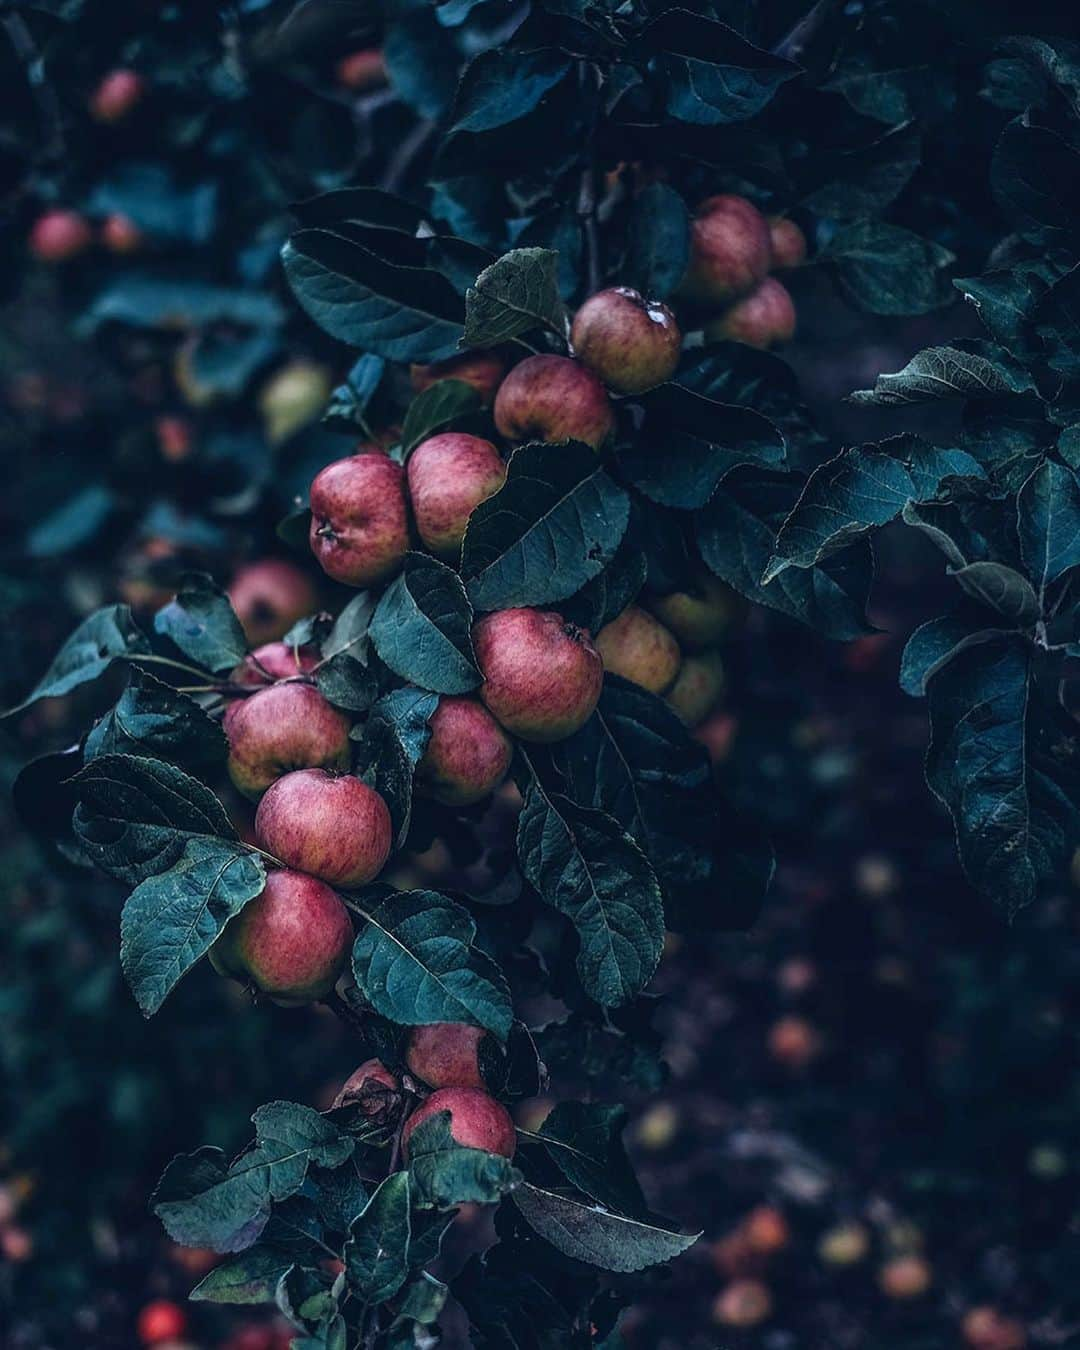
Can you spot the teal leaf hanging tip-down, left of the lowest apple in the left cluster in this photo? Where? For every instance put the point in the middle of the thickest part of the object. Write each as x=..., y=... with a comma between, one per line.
x=171, y=921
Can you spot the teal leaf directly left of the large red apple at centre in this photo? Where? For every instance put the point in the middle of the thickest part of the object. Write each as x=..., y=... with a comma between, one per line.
x=422, y=628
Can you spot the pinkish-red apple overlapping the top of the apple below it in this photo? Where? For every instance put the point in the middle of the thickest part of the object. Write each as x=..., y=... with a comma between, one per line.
x=335, y=828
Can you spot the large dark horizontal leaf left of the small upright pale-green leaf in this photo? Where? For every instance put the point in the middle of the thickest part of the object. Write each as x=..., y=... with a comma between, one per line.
x=400, y=314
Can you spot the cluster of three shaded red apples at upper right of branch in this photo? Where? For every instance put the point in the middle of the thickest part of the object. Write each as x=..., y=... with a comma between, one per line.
x=734, y=249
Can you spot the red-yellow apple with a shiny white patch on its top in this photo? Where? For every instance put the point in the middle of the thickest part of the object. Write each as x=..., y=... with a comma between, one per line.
x=632, y=344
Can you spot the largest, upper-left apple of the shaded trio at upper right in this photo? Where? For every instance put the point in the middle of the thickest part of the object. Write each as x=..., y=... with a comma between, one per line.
x=730, y=252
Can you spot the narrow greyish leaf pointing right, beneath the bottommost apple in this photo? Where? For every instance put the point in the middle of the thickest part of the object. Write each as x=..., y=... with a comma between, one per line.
x=588, y=1233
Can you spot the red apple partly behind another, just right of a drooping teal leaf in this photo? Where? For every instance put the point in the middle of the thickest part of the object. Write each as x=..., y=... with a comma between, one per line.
x=291, y=943
